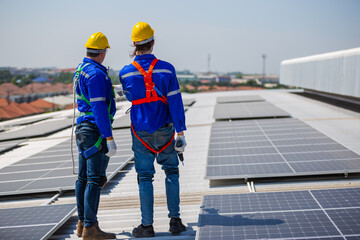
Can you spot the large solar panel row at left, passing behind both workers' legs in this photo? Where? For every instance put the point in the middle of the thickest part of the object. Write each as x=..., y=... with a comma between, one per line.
x=51, y=170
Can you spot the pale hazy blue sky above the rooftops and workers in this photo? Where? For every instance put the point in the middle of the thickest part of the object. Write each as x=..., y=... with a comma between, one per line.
x=234, y=33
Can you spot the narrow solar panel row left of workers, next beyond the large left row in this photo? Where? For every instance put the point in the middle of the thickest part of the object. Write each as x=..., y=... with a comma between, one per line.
x=37, y=130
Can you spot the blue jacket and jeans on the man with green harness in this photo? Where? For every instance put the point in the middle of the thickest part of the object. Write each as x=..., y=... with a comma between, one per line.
x=95, y=95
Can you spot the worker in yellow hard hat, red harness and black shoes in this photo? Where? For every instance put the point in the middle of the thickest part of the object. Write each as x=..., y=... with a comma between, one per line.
x=157, y=112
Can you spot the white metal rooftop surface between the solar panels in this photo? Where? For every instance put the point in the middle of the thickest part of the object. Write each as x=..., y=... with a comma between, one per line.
x=119, y=207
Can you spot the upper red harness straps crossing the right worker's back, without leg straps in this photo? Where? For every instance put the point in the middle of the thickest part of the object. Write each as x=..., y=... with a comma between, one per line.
x=151, y=94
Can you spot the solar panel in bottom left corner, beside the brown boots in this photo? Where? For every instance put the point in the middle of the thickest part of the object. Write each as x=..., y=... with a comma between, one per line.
x=33, y=222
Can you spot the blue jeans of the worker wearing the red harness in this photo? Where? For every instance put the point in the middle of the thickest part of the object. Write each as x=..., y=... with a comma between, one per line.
x=144, y=165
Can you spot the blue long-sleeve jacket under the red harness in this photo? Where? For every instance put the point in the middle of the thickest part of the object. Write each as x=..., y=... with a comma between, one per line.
x=151, y=116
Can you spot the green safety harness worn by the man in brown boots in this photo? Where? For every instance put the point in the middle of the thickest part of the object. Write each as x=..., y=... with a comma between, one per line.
x=97, y=146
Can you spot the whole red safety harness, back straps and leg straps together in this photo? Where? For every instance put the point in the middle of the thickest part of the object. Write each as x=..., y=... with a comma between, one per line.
x=152, y=95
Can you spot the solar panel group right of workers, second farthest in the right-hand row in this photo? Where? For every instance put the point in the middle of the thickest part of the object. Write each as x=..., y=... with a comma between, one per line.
x=247, y=110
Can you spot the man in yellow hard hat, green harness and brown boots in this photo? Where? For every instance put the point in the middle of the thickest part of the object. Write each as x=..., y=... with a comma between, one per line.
x=94, y=138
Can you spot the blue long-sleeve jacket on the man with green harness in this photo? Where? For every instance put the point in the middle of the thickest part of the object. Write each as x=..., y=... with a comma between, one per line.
x=97, y=88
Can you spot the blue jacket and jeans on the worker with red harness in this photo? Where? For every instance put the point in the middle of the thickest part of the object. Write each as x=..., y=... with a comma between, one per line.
x=153, y=123
